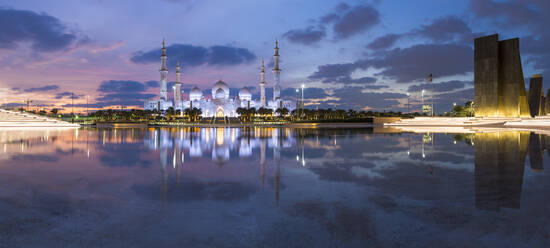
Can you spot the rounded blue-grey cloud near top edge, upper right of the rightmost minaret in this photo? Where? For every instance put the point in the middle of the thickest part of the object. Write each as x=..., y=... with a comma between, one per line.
x=358, y=19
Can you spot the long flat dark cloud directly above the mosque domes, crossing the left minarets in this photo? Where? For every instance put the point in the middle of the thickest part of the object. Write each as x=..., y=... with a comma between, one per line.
x=191, y=56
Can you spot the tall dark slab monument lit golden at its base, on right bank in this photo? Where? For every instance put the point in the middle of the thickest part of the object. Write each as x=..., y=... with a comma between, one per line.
x=499, y=89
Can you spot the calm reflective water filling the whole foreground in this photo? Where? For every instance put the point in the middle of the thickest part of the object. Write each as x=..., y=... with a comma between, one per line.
x=229, y=187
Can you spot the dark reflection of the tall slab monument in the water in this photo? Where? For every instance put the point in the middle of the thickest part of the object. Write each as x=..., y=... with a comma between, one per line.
x=499, y=165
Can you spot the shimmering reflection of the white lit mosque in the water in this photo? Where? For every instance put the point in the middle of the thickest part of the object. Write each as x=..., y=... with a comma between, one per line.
x=220, y=143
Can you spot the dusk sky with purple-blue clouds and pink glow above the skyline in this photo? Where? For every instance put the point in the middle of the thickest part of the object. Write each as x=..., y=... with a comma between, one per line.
x=362, y=55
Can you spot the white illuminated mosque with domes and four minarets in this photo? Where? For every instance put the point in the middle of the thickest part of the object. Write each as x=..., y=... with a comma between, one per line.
x=219, y=103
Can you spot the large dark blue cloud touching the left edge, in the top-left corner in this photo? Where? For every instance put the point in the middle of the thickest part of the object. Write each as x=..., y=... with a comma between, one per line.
x=46, y=33
